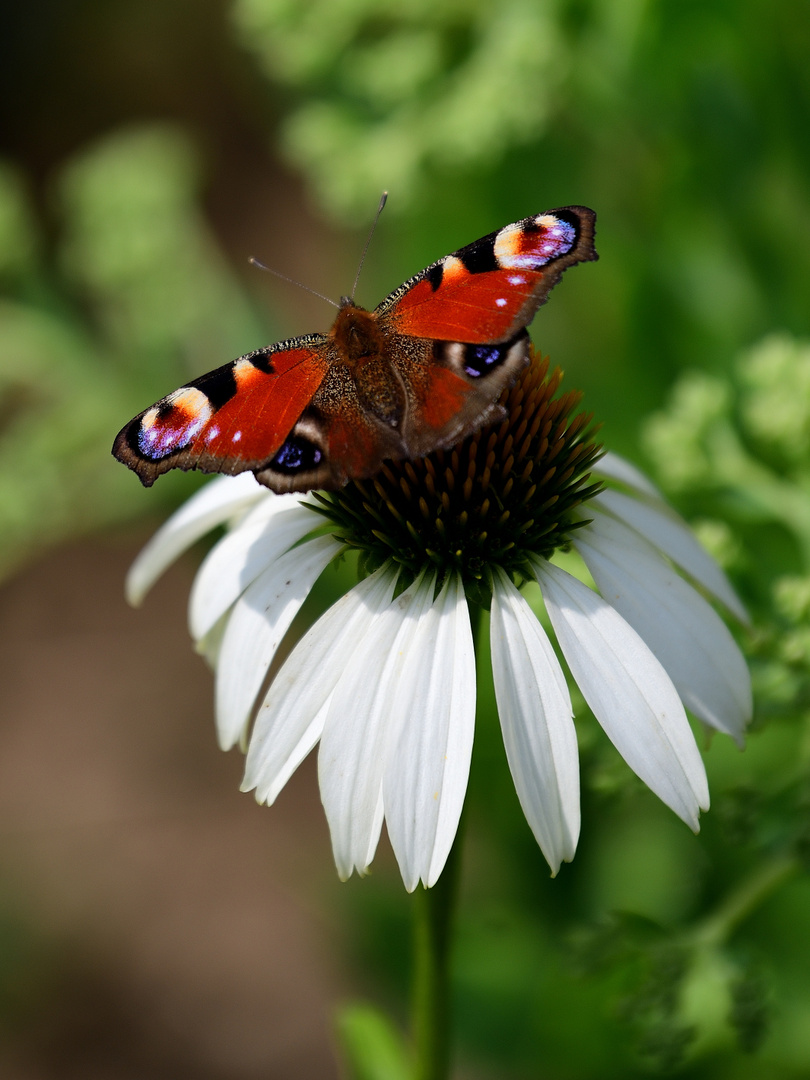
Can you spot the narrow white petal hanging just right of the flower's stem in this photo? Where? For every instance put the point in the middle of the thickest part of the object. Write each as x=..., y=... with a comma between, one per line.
x=536, y=715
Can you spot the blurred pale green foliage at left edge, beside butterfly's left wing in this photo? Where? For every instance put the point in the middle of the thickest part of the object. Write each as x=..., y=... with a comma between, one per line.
x=140, y=300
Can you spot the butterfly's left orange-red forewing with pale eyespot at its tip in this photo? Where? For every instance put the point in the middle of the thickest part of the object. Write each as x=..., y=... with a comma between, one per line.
x=235, y=420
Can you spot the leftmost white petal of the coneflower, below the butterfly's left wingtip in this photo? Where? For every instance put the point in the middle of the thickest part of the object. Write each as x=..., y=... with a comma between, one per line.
x=213, y=505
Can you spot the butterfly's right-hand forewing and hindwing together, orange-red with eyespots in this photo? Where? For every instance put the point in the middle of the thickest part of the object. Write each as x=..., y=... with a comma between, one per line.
x=474, y=306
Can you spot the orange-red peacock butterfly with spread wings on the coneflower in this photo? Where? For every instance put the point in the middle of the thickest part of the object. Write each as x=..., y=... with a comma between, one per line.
x=421, y=372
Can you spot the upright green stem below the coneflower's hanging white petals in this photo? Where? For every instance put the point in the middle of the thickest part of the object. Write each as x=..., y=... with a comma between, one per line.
x=433, y=940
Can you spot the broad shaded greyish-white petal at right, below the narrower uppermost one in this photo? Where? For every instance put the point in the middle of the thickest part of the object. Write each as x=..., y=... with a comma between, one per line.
x=683, y=630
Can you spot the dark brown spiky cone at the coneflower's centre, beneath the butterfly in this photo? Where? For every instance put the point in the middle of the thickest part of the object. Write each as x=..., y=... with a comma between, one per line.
x=508, y=491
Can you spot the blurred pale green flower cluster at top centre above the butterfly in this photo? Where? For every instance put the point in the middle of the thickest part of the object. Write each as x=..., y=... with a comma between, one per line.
x=386, y=91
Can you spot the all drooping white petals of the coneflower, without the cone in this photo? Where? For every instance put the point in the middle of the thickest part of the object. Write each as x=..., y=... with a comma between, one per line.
x=388, y=685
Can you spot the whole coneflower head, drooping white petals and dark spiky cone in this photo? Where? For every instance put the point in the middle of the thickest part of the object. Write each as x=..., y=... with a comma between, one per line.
x=386, y=679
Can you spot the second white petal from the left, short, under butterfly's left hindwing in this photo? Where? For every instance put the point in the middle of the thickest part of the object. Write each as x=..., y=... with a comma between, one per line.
x=269, y=531
